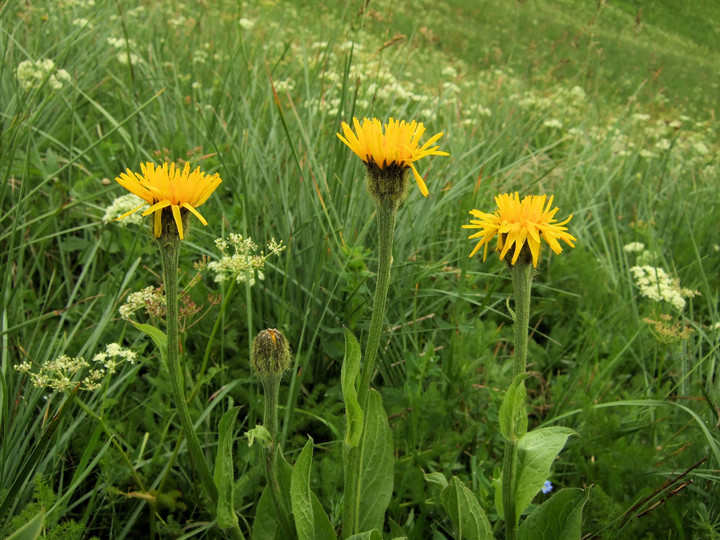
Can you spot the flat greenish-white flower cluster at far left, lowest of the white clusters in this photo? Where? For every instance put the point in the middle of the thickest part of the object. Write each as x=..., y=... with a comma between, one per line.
x=60, y=374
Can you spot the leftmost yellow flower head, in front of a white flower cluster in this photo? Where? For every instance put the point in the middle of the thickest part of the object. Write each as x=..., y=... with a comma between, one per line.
x=167, y=185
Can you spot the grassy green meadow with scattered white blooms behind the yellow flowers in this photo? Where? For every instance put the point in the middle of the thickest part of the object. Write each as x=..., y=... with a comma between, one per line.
x=611, y=106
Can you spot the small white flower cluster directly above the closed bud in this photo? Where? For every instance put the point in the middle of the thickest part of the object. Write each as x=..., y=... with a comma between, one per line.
x=243, y=263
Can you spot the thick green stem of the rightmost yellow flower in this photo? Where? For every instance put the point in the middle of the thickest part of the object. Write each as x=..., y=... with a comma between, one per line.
x=522, y=273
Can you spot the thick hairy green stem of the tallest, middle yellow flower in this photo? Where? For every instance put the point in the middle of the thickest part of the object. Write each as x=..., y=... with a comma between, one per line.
x=386, y=228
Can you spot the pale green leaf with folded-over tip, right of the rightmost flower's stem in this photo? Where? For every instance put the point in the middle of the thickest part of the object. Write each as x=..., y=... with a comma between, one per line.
x=536, y=452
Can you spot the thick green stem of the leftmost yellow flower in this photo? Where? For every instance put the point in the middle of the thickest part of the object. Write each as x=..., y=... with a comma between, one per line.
x=170, y=250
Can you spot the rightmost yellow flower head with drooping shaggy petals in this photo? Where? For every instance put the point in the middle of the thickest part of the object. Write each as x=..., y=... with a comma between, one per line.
x=516, y=222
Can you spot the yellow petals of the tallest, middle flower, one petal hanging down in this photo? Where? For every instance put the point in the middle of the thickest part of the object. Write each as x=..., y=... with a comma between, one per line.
x=399, y=146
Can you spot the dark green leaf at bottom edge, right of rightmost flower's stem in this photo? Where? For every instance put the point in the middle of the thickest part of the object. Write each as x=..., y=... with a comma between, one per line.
x=558, y=518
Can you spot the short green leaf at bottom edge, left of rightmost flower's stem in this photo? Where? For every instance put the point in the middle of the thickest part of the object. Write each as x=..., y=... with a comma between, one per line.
x=465, y=511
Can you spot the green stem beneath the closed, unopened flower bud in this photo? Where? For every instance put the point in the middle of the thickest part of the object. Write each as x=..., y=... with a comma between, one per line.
x=271, y=385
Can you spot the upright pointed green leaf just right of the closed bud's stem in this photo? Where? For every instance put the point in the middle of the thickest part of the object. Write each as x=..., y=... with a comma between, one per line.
x=311, y=521
